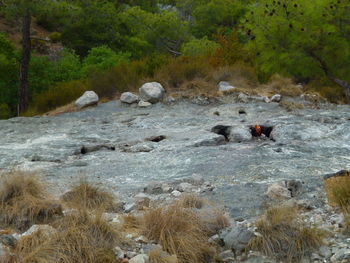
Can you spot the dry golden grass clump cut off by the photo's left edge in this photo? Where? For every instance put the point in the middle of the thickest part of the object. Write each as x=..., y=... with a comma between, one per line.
x=24, y=202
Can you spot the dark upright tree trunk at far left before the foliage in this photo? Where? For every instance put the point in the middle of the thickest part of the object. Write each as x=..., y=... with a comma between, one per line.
x=26, y=48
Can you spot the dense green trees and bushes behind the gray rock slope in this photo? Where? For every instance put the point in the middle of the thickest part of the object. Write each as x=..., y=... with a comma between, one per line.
x=103, y=41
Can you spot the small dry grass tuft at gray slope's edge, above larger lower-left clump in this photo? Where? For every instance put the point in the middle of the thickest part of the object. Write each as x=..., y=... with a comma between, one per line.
x=87, y=196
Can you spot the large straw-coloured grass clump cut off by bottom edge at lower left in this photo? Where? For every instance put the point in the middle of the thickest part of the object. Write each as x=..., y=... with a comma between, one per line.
x=80, y=238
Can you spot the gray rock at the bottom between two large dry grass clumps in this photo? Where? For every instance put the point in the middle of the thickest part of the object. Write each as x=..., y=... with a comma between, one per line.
x=238, y=238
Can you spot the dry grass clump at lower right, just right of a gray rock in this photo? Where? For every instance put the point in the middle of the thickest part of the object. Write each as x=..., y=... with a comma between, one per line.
x=284, y=236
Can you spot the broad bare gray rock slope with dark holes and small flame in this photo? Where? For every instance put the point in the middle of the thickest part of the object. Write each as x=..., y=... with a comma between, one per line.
x=305, y=147
